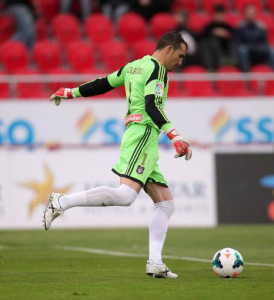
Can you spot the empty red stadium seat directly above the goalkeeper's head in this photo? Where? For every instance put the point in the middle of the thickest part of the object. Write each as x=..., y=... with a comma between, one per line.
x=162, y=23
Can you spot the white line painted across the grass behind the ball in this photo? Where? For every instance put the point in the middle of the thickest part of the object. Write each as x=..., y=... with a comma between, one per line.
x=126, y=254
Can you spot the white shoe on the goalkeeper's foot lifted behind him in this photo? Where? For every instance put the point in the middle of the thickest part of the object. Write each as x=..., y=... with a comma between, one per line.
x=53, y=210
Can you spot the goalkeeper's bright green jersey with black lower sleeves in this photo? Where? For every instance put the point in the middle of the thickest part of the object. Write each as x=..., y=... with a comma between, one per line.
x=146, y=86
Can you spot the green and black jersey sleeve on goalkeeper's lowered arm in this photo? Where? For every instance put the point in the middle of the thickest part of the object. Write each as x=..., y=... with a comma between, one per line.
x=155, y=86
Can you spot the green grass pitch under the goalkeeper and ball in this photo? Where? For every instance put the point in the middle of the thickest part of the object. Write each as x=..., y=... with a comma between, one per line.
x=31, y=267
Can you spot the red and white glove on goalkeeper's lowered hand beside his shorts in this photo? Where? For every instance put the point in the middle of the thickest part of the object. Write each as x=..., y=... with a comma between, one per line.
x=181, y=147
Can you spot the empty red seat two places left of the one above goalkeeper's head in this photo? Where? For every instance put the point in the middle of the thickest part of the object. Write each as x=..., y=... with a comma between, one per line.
x=99, y=28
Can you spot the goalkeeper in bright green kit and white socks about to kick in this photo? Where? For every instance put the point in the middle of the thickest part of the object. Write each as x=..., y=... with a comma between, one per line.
x=146, y=85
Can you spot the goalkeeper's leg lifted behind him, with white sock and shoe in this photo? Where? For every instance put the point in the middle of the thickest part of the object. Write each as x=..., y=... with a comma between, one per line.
x=124, y=195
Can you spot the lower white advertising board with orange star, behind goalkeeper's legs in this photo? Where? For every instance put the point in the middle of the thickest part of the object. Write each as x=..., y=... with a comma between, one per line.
x=28, y=176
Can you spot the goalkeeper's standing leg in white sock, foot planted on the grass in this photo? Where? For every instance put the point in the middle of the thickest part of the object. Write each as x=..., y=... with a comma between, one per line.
x=164, y=207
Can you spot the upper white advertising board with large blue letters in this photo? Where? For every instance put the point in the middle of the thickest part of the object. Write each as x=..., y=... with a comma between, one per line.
x=91, y=121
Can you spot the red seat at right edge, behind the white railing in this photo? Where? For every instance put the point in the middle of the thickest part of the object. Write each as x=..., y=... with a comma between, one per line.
x=262, y=86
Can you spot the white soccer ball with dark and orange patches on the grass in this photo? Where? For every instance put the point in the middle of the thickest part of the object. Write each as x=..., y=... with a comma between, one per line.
x=227, y=263
